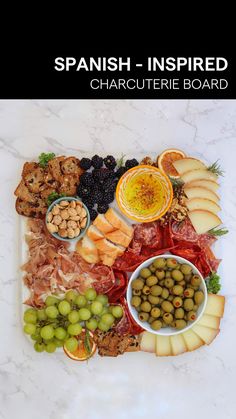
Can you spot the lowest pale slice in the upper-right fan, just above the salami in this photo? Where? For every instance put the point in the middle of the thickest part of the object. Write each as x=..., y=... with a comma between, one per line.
x=203, y=220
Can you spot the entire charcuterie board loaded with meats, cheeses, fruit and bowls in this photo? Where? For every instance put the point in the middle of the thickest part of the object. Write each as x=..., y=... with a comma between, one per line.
x=88, y=228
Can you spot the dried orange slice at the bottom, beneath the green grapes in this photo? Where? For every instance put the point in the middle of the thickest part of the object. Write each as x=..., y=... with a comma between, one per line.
x=81, y=353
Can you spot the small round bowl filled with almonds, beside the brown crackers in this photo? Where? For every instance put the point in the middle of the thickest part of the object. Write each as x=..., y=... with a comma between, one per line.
x=67, y=219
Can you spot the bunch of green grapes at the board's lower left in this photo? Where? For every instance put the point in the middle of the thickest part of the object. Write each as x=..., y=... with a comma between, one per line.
x=61, y=321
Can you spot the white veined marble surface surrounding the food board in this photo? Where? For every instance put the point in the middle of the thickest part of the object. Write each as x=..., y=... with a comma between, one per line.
x=134, y=385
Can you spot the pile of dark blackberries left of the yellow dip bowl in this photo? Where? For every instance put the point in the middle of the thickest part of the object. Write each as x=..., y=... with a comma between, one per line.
x=97, y=186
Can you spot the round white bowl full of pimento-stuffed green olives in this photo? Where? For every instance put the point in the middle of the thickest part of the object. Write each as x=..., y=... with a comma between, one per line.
x=166, y=295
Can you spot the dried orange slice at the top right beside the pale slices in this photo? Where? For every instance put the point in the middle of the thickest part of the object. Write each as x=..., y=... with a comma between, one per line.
x=166, y=159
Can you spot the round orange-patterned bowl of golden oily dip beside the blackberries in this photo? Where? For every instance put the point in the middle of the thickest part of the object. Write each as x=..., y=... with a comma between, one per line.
x=144, y=193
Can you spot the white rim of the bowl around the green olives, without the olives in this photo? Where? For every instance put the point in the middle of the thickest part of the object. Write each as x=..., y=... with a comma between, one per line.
x=167, y=331
